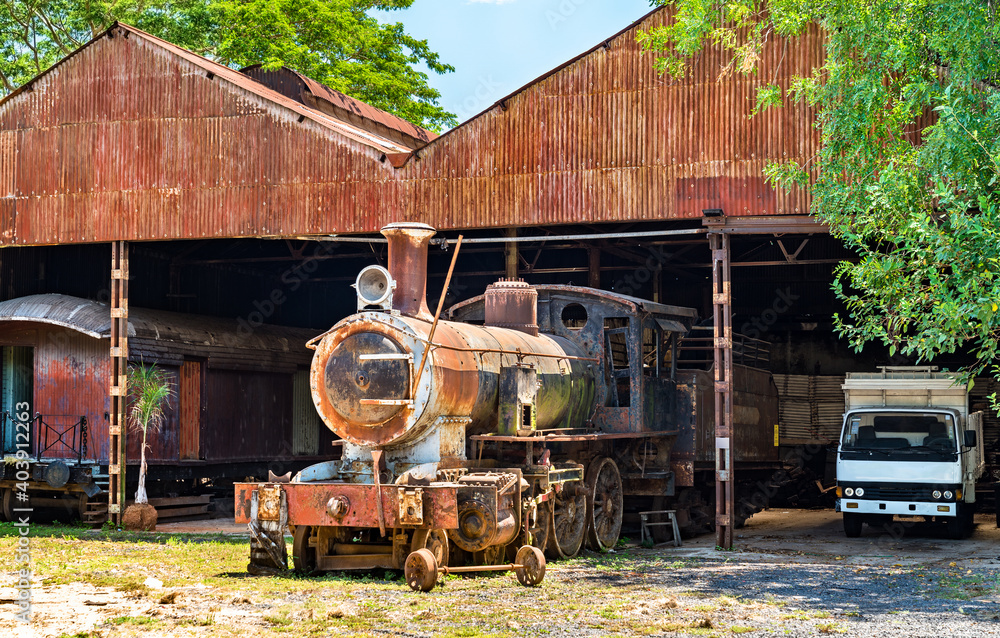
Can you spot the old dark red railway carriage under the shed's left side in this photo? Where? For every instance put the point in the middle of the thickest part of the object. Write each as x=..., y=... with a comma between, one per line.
x=239, y=405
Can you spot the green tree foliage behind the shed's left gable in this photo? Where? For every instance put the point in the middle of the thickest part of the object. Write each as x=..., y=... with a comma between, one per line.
x=335, y=42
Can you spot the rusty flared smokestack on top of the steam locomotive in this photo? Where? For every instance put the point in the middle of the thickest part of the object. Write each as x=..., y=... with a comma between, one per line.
x=408, y=267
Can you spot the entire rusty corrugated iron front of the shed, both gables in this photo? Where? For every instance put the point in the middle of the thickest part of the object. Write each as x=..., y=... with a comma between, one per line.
x=146, y=141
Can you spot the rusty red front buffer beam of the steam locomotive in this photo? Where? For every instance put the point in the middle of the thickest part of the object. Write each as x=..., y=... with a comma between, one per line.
x=308, y=504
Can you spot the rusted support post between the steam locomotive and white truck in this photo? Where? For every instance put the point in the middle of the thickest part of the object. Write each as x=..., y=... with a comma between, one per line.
x=725, y=500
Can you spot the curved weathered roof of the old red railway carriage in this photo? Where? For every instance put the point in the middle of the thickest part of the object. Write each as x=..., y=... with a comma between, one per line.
x=93, y=318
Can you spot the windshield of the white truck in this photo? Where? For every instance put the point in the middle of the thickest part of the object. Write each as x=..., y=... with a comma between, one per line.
x=900, y=433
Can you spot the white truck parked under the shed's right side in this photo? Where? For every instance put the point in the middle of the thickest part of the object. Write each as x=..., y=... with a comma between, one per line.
x=909, y=447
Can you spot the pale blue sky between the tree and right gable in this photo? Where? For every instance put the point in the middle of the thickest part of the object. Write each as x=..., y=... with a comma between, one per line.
x=498, y=46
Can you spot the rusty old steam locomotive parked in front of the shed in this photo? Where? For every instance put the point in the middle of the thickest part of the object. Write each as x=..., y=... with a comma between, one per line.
x=532, y=416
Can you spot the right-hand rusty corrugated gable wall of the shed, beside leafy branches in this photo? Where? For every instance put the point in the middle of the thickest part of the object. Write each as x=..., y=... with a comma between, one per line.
x=605, y=138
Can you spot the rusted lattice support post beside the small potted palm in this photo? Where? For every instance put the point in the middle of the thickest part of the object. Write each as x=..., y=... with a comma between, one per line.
x=118, y=387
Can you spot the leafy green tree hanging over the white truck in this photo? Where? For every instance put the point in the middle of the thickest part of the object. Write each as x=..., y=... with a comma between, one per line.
x=908, y=110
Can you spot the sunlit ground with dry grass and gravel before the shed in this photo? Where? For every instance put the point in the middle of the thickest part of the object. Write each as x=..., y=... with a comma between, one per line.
x=793, y=574
